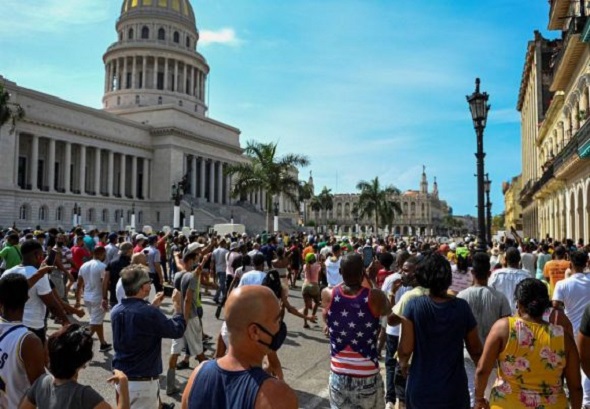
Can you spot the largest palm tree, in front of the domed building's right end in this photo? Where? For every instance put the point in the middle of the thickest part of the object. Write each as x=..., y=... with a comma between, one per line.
x=267, y=172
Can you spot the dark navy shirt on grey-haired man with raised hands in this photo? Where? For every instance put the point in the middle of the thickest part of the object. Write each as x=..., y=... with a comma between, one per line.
x=138, y=329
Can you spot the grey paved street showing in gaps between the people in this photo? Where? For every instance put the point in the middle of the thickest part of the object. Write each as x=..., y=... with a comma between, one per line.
x=304, y=356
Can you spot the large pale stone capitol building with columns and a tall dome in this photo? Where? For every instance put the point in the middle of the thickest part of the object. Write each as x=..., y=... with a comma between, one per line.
x=66, y=163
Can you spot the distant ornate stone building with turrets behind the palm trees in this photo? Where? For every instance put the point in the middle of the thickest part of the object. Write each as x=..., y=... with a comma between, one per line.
x=423, y=213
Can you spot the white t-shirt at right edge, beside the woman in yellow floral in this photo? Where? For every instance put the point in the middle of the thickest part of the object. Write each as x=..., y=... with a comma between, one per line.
x=574, y=293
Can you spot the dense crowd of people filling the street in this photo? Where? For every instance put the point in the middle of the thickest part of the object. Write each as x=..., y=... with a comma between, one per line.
x=459, y=326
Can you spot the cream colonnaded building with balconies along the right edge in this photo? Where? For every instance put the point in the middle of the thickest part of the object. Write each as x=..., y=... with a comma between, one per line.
x=556, y=175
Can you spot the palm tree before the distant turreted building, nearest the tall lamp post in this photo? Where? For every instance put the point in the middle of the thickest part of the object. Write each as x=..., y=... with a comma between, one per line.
x=378, y=202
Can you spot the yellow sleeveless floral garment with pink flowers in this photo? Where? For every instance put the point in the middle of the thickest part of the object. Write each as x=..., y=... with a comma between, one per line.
x=530, y=368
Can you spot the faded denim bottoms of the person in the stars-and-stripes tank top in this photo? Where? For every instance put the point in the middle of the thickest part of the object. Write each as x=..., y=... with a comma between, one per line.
x=347, y=392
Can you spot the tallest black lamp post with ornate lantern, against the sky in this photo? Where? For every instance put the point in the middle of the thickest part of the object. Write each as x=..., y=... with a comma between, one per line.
x=479, y=107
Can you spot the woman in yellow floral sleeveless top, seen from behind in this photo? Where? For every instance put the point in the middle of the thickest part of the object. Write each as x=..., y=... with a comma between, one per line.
x=532, y=356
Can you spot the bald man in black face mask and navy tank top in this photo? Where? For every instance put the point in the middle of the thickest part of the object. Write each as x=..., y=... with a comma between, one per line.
x=255, y=328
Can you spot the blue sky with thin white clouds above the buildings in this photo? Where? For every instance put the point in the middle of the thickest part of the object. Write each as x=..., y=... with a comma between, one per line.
x=364, y=88
